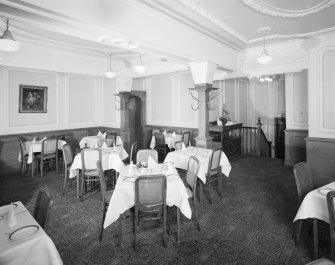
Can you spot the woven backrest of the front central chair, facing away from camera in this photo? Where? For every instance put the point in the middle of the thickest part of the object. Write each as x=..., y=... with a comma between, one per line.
x=150, y=191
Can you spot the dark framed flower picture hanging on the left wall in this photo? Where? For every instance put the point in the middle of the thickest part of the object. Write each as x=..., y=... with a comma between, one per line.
x=33, y=99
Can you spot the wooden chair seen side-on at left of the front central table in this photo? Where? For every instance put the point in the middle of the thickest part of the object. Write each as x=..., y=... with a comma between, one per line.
x=106, y=196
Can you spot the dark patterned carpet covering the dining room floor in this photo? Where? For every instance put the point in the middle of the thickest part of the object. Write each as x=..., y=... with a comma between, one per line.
x=250, y=224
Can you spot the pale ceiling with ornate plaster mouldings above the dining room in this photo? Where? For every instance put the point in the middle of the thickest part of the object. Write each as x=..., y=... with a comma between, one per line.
x=162, y=30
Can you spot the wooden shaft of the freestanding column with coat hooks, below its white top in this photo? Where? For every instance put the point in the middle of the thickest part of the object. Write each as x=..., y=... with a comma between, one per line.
x=203, y=139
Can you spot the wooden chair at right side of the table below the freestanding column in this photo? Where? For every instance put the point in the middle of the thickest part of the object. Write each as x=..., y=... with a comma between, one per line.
x=213, y=173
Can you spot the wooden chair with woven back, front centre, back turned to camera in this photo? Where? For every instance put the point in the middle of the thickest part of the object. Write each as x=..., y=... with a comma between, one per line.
x=150, y=202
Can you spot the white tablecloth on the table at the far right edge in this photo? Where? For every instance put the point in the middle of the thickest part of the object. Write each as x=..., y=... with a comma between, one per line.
x=314, y=204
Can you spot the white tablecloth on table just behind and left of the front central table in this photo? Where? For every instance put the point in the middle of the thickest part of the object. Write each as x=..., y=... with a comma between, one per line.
x=111, y=159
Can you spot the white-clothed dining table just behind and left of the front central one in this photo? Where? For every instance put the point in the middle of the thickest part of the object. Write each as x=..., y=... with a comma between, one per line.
x=111, y=159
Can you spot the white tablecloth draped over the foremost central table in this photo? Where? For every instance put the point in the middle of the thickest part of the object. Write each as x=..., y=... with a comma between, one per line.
x=124, y=194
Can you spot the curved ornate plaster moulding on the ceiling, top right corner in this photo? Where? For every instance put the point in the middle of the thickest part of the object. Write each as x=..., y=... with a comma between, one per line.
x=268, y=9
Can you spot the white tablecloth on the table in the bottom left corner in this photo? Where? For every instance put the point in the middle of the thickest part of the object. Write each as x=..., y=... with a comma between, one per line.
x=36, y=249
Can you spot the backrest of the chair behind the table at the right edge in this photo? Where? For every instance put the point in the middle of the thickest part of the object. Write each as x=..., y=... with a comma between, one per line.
x=303, y=179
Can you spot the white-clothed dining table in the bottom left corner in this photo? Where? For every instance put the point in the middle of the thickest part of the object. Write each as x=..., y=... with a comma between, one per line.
x=25, y=242
